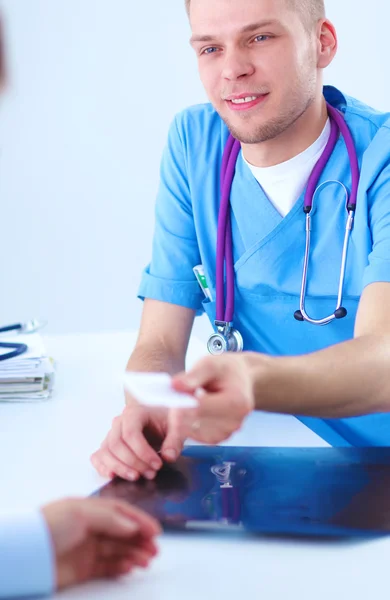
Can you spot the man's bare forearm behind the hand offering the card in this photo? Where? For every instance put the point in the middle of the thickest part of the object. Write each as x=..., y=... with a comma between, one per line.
x=349, y=379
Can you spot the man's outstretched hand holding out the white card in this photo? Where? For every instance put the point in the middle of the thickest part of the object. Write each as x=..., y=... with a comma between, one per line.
x=223, y=387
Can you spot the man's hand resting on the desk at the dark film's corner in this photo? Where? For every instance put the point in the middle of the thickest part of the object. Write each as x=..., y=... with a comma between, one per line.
x=137, y=442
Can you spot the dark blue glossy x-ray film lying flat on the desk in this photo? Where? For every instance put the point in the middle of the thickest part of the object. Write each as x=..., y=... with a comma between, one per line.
x=297, y=491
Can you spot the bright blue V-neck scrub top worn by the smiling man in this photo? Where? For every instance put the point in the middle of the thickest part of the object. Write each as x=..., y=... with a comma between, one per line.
x=269, y=249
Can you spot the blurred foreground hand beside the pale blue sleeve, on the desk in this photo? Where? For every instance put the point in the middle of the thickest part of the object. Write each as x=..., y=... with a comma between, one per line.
x=96, y=538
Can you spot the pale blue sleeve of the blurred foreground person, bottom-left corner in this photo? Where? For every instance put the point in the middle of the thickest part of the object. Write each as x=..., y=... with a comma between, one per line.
x=26, y=556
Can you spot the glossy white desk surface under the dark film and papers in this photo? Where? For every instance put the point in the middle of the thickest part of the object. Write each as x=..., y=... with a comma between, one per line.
x=45, y=451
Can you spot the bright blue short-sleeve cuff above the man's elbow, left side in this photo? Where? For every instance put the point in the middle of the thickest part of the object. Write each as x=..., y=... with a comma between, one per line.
x=182, y=293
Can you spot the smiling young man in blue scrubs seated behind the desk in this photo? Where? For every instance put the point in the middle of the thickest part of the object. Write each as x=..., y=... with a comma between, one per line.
x=261, y=63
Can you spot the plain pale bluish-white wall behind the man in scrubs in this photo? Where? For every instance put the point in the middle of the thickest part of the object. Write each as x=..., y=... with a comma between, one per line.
x=93, y=87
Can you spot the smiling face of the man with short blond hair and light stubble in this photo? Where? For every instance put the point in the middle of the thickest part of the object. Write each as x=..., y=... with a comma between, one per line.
x=258, y=63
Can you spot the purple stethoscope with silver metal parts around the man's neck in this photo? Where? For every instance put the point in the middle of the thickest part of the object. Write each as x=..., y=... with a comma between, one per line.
x=227, y=338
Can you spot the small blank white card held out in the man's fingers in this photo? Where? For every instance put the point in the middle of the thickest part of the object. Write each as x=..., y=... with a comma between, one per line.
x=155, y=389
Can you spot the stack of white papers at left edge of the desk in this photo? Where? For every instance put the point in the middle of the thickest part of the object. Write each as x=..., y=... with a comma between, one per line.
x=29, y=376
